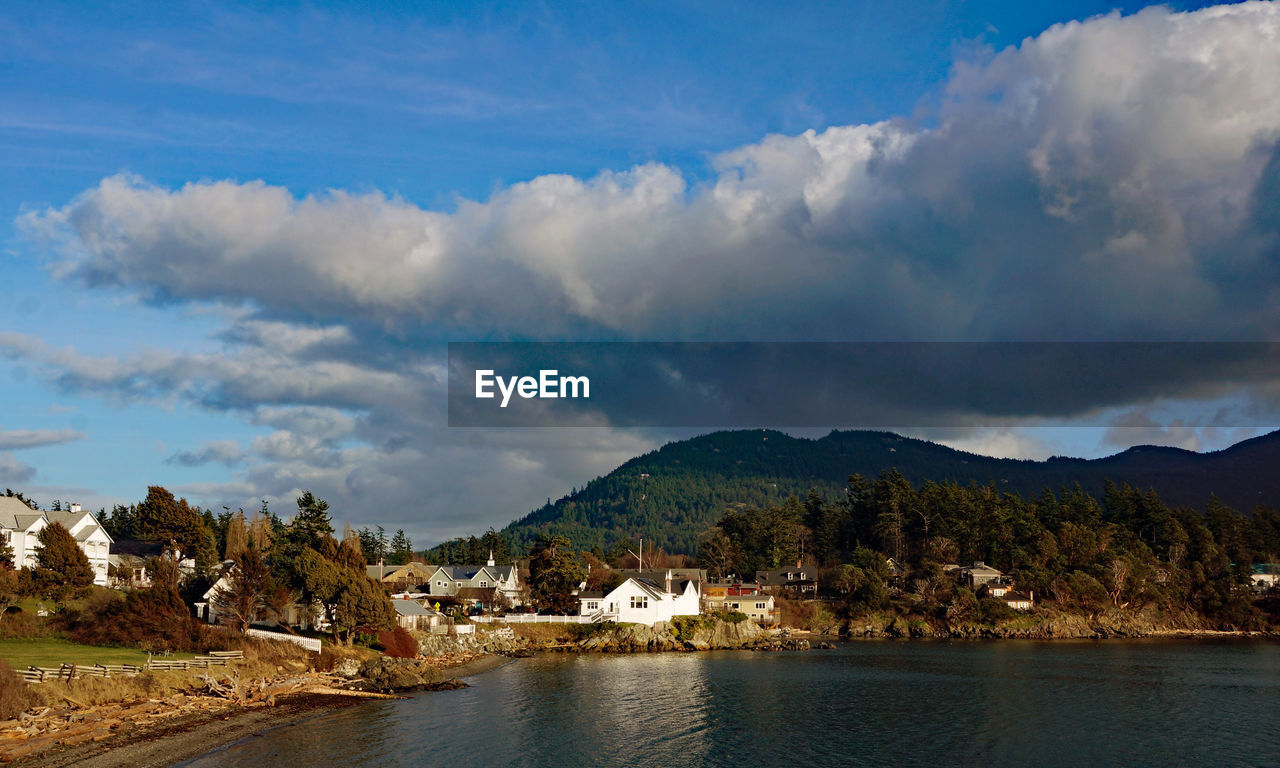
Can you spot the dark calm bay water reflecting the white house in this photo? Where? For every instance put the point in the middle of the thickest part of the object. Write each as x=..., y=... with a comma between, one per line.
x=875, y=703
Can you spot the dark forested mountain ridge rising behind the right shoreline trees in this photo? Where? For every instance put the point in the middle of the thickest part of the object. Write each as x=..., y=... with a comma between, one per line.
x=671, y=496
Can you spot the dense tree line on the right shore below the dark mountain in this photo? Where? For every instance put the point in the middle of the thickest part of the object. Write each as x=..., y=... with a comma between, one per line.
x=1126, y=550
